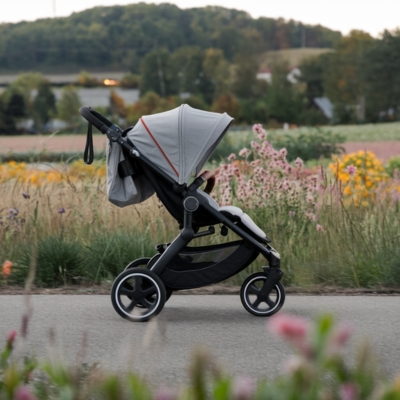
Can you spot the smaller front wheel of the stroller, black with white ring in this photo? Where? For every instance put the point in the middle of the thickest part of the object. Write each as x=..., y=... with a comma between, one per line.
x=248, y=296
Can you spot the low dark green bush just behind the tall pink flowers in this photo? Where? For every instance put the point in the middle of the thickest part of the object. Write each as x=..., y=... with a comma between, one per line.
x=314, y=144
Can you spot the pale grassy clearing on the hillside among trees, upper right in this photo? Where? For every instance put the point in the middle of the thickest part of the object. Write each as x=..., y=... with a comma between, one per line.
x=293, y=57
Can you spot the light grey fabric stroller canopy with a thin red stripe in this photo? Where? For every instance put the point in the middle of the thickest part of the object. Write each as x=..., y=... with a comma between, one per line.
x=179, y=141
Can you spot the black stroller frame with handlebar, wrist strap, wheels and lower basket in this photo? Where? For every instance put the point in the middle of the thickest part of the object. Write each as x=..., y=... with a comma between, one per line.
x=141, y=290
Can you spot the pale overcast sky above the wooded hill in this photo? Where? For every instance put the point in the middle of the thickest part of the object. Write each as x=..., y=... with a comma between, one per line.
x=373, y=16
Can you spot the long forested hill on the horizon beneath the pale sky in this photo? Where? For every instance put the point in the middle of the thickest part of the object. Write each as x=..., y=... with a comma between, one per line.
x=116, y=38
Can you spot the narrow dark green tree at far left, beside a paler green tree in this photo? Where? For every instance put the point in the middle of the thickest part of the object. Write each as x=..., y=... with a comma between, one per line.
x=44, y=104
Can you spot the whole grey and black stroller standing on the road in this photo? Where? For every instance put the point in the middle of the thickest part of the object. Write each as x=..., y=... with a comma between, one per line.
x=158, y=155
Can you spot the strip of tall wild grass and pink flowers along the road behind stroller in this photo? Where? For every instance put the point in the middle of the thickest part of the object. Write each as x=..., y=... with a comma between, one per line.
x=324, y=237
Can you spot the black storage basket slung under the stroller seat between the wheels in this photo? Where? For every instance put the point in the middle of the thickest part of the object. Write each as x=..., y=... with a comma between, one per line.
x=199, y=266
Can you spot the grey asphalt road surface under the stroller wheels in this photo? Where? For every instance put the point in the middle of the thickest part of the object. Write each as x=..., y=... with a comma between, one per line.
x=88, y=329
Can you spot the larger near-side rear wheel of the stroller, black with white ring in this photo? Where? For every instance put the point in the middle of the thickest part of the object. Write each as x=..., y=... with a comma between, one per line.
x=129, y=289
